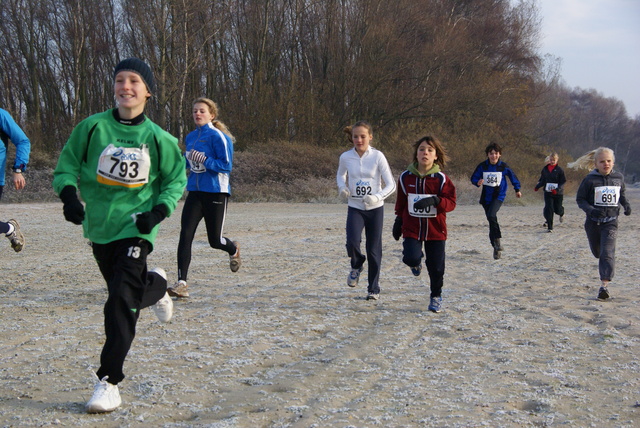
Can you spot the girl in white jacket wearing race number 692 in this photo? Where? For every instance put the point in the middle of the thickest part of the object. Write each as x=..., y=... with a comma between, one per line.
x=365, y=180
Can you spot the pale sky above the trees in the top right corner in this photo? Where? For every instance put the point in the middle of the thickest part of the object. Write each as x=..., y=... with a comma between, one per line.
x=599, y=43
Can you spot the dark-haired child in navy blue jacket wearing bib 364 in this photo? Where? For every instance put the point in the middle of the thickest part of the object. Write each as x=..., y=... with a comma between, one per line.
x=491, y=175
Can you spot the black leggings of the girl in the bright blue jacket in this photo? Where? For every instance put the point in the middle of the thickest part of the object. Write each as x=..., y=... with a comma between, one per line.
x=213, y=208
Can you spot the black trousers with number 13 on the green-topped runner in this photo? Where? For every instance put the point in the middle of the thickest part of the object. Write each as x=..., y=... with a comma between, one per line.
x=123, y=265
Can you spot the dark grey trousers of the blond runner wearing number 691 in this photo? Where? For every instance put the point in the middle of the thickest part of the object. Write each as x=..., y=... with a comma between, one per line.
x=602, y=242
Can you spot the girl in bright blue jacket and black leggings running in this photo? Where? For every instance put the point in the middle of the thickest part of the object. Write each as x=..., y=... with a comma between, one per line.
x=209, y=153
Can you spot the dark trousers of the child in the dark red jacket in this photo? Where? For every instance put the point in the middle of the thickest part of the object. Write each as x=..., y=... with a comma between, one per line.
x=434, y=253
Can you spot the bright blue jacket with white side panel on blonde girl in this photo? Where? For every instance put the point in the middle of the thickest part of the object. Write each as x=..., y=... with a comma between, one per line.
x=213, y=175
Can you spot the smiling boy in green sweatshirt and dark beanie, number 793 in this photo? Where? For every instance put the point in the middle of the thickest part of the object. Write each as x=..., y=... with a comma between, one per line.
x=131, y=174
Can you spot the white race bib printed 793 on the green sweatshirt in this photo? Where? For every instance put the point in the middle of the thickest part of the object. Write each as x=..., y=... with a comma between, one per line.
x=124, y=166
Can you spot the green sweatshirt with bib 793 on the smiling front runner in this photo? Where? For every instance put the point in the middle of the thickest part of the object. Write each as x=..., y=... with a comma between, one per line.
x=121, y=170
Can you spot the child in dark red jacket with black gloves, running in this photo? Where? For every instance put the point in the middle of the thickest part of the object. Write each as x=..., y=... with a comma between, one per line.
x=425, y=196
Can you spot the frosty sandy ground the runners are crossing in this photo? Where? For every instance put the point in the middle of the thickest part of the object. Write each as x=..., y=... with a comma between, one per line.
x=284, y=342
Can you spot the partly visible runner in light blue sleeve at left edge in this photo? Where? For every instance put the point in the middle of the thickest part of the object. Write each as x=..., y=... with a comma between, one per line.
x=9, y=130
